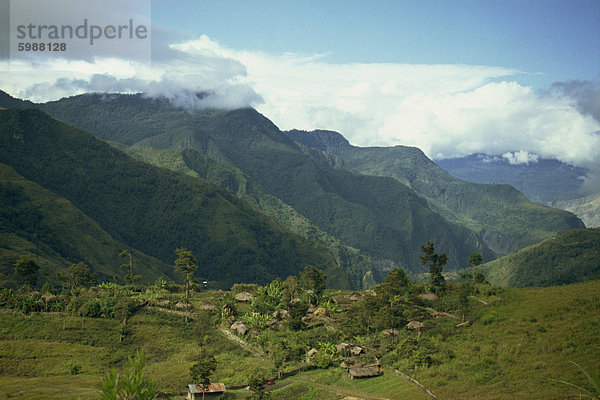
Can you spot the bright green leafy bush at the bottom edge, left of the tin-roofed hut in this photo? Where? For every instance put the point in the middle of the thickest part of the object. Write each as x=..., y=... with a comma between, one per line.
x=131, y=385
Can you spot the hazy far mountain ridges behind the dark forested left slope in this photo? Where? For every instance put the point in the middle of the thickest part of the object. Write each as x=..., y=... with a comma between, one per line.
x=388, y=216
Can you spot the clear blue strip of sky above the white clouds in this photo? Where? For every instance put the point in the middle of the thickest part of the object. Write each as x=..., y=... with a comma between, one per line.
x=548, y=40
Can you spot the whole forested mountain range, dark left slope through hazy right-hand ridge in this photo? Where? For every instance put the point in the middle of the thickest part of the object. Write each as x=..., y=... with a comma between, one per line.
x=369, y=208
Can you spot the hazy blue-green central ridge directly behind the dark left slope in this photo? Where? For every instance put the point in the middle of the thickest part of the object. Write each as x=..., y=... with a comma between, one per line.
x=382, y=218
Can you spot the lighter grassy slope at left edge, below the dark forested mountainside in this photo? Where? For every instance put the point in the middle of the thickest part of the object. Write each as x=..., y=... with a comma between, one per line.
x=38, y=223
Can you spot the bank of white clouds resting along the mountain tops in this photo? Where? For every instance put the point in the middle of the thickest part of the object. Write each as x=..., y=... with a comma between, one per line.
x=446, y=110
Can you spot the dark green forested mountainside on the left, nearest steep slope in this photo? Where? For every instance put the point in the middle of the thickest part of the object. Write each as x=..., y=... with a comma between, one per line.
x=154, y=210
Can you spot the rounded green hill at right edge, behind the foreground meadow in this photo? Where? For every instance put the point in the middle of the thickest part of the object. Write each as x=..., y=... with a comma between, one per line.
x=571, y=256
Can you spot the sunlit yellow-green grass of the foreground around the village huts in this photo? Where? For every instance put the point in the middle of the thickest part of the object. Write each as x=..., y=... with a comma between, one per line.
x=520, y=344
